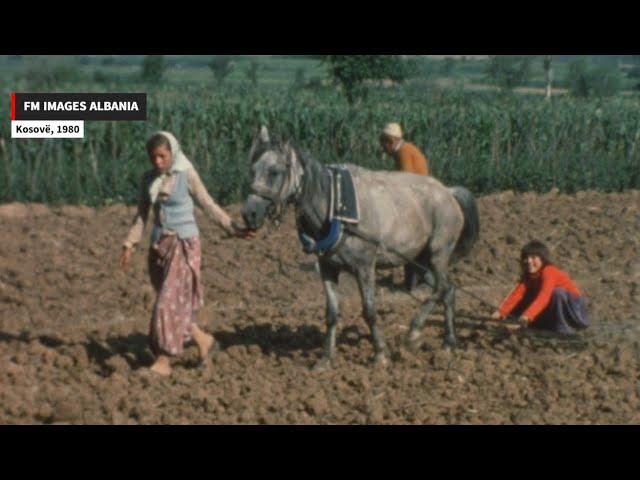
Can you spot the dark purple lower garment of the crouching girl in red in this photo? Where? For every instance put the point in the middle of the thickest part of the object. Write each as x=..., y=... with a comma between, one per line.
x=565, y=313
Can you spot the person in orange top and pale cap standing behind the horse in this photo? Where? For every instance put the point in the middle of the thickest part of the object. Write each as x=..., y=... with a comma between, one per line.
x=408, y=159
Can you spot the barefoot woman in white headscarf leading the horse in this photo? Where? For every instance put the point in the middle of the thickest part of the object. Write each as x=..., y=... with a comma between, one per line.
x=174, y=254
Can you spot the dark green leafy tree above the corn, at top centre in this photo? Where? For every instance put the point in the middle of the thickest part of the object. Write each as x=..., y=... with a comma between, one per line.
x=352, y=71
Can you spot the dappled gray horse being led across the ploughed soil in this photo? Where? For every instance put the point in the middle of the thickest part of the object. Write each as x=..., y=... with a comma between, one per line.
x=411, y=217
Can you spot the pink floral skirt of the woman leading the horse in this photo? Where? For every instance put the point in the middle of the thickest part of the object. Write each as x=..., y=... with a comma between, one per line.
x=174, y=268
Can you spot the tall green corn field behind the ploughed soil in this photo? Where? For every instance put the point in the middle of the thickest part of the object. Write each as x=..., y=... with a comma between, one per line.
x=486, y=142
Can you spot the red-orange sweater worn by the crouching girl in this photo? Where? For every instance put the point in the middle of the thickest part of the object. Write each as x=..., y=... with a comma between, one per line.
x=538, y=288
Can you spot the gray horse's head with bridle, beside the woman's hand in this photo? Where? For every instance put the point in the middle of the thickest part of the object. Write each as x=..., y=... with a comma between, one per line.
x=277, y=176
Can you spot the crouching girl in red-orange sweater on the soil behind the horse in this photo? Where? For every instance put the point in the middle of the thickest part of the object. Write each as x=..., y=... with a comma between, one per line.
x=546, y=297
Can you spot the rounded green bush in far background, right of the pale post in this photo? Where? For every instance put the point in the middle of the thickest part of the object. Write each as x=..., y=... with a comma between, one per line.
x=585, y=81
